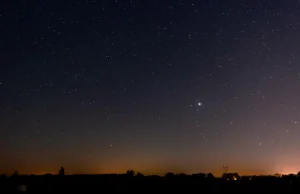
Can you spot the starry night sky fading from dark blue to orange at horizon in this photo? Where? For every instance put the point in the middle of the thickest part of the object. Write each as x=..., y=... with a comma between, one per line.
x=154, y=86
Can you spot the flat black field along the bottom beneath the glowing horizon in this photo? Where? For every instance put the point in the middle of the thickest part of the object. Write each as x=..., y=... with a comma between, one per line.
x=148, y=184
